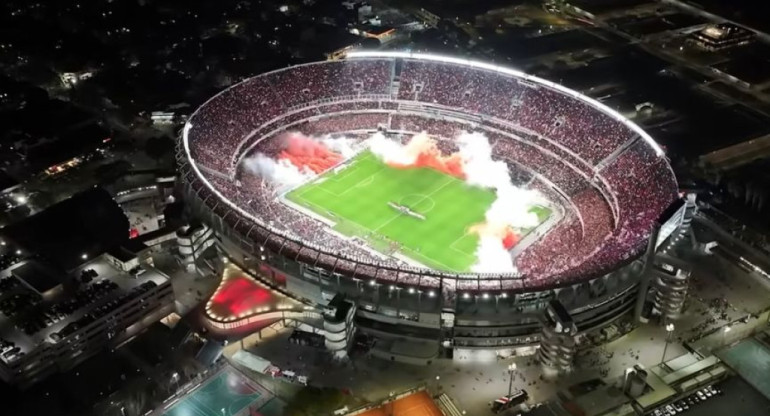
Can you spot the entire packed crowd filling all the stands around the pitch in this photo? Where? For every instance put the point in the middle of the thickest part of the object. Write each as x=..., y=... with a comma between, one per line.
x=566, y=139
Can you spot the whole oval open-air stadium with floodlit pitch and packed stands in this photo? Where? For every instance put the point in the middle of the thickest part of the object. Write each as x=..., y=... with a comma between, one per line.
x=449, y=199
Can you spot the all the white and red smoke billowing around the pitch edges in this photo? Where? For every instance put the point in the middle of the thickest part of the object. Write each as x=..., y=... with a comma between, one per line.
x=301, y=157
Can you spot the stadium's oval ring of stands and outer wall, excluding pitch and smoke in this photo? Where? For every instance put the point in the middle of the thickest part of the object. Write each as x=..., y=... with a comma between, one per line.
x=610, y=176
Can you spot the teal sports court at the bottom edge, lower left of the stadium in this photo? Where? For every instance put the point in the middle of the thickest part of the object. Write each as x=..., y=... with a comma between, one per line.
x=229, y=393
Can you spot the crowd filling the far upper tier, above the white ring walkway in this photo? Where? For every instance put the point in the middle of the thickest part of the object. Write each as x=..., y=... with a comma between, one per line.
x=574, y=128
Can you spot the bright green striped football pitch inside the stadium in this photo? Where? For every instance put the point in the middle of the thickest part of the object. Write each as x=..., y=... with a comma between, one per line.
x=356, y=198
